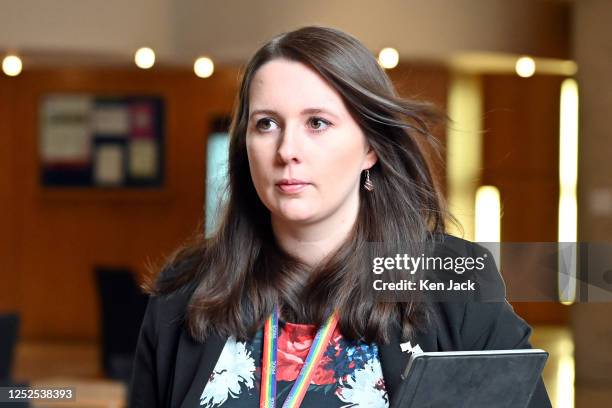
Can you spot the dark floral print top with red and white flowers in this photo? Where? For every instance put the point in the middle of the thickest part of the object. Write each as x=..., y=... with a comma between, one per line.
x=348, y=375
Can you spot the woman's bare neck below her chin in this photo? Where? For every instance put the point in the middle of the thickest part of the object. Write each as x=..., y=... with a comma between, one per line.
x=313, y=242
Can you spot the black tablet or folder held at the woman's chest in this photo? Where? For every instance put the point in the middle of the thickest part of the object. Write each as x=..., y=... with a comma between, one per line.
x=470, y=379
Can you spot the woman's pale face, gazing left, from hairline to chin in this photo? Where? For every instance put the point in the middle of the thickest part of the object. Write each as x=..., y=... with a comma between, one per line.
x=306, y=152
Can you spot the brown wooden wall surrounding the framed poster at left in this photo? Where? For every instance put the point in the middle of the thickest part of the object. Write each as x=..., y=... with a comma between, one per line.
x=62, y=234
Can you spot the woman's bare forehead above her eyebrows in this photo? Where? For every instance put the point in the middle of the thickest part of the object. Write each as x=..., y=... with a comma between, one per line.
x=284, y=85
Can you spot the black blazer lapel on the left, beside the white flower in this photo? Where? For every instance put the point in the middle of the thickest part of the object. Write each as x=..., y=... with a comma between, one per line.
x=194, y=364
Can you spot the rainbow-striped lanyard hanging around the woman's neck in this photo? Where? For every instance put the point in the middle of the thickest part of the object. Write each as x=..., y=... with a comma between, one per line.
x=268, y=373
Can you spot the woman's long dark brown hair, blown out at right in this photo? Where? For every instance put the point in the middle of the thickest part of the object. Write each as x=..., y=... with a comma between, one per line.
x=239, y=273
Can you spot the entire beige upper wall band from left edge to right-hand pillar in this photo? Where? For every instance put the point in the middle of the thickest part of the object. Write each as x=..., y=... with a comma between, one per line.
x=231, y=30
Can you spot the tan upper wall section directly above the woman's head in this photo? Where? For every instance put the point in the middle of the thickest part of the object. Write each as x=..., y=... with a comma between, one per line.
x=418, y=29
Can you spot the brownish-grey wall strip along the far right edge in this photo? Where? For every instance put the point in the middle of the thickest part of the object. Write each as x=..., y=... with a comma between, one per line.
x=591, y=322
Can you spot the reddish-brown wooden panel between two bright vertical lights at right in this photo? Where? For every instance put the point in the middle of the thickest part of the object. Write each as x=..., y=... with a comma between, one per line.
x=521, y=158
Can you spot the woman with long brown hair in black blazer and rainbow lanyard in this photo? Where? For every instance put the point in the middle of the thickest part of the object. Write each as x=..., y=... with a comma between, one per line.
x=324, y=159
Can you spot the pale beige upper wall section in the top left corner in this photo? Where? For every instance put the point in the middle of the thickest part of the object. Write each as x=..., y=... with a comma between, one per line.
x=96, y=29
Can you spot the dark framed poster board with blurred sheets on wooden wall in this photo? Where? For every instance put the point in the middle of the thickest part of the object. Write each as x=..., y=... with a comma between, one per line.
x=101, y=141
